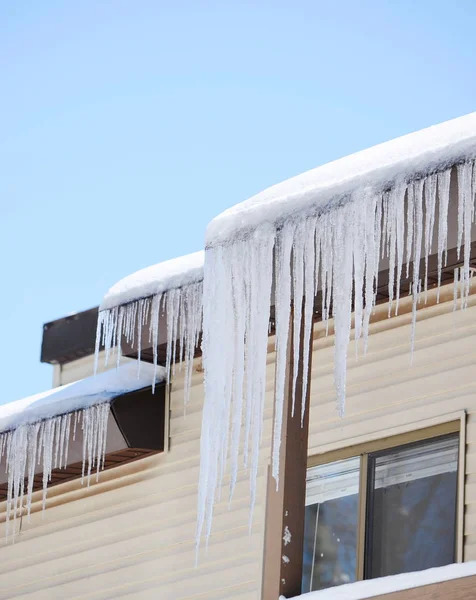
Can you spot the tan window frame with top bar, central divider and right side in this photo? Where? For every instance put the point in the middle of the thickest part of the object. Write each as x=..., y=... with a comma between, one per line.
x=453, y=424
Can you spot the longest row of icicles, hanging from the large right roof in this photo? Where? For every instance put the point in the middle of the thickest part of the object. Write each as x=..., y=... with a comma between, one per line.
x=338, y=252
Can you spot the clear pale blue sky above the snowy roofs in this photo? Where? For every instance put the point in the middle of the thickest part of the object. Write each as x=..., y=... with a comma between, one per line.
x=125, y=126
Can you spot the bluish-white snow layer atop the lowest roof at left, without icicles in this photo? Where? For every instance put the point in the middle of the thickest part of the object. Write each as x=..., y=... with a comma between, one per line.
x=78, y=395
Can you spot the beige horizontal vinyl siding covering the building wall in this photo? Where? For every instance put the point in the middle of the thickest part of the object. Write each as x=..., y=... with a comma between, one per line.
x=132, y=534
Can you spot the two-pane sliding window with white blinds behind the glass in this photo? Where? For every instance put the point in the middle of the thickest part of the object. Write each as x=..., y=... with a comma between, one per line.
x=382, y=512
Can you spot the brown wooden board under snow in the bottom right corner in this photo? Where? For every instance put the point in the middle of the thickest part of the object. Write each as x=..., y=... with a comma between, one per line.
x=463, y=588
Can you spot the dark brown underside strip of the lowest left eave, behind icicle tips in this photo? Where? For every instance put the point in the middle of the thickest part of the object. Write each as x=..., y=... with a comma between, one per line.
x=74, y=471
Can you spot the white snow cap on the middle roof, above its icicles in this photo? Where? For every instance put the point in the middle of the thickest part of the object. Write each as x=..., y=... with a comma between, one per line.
x=156, y=279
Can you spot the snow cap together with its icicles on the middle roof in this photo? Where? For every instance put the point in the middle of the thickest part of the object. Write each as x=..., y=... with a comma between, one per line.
x=170, y=290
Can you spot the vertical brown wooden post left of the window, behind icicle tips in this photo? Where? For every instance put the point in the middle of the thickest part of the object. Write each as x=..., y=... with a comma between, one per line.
x=285, y=506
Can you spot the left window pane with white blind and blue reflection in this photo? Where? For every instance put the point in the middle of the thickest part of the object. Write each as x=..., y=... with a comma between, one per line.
x=331, y=523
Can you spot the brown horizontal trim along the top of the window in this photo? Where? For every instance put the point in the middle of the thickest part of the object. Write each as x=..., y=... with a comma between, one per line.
x=400, y=439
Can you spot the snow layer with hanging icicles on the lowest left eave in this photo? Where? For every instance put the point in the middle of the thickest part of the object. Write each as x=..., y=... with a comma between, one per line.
x=36, y=430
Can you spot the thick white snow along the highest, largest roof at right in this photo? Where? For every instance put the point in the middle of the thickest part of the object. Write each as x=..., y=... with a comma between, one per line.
x=405, y=157
